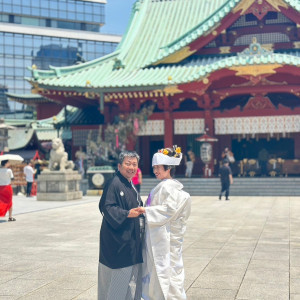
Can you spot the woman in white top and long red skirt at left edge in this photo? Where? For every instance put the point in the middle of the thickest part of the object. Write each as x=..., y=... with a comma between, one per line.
x=6, y=192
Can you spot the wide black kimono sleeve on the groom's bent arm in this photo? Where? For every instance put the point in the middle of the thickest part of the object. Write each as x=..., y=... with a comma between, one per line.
x=110, y=207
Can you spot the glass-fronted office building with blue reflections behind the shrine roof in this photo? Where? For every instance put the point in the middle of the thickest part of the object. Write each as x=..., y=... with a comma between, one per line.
x=48, y=32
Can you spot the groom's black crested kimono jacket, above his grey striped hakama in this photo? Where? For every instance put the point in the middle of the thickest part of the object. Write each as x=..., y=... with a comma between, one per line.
x=120, y=241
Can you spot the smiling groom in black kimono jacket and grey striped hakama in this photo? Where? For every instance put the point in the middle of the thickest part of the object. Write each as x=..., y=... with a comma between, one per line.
x=121, y=235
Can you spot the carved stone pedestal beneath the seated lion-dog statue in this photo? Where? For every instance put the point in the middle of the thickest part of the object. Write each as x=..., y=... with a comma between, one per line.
x=58, y=186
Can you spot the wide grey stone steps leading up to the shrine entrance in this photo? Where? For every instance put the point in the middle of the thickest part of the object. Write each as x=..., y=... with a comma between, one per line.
x=256, y=186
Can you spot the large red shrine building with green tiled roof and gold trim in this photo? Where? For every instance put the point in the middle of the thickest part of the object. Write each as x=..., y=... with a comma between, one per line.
x=227, y=68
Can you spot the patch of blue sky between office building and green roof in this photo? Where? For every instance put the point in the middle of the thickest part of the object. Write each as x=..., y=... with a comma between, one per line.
x=117, y=14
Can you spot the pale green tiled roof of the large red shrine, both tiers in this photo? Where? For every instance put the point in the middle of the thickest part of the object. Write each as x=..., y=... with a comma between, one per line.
x=158, y=29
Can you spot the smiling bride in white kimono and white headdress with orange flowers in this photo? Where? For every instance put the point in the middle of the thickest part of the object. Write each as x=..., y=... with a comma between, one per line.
x=166, y=212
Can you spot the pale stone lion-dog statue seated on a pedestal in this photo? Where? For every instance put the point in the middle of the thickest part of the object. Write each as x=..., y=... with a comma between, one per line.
x=58, y=157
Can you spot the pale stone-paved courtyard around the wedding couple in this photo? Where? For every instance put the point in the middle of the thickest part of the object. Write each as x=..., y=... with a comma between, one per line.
x=245, y=248
